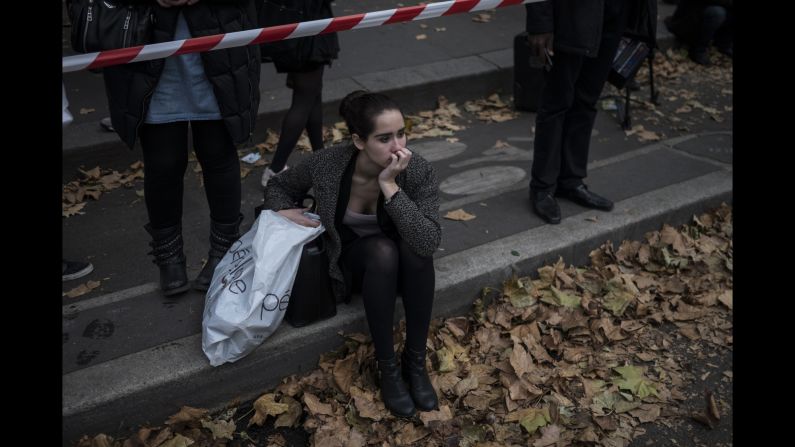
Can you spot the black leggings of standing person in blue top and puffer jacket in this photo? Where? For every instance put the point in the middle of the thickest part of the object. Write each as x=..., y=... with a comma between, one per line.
x=165, y=149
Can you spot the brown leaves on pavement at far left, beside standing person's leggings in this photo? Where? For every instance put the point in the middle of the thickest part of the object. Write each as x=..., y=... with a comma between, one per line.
x=93, y=183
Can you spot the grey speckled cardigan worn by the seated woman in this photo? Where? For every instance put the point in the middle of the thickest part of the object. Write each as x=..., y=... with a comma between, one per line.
x=414, y=210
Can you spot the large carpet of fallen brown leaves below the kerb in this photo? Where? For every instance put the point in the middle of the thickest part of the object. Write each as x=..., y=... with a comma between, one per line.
x=573, y=355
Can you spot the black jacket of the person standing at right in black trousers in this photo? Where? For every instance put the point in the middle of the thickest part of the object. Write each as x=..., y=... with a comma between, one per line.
x=577, y=24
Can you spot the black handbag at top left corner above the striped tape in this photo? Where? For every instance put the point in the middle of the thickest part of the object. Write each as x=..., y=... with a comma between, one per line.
x=99, y=25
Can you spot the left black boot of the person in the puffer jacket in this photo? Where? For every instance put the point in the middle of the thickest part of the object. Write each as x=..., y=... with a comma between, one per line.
x=167, y=249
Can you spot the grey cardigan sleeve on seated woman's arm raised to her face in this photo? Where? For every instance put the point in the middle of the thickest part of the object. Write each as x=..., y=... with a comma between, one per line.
x=415, y=210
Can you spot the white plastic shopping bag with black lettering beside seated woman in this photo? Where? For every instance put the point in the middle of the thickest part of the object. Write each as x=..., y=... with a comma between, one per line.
x=250, y=289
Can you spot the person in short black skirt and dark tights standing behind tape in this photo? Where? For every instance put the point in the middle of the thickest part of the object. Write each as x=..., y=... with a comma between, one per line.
x=303, y=60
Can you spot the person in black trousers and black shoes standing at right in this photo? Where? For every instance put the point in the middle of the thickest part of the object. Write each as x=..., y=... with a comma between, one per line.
x=579, y=38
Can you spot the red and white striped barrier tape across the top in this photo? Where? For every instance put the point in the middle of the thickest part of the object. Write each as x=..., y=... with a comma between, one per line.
x=281, y=32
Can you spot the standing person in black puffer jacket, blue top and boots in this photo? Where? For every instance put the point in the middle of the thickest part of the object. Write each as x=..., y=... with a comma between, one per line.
x=216, y=95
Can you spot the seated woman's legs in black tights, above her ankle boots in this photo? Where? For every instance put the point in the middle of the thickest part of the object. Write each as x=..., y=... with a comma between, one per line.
x=383, y=267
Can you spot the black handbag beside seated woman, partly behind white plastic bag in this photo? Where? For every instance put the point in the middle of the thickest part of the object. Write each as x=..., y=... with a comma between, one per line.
x=311, y=298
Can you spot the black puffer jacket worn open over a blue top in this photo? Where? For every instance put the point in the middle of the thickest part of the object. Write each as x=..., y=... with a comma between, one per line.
x=233, y=72
